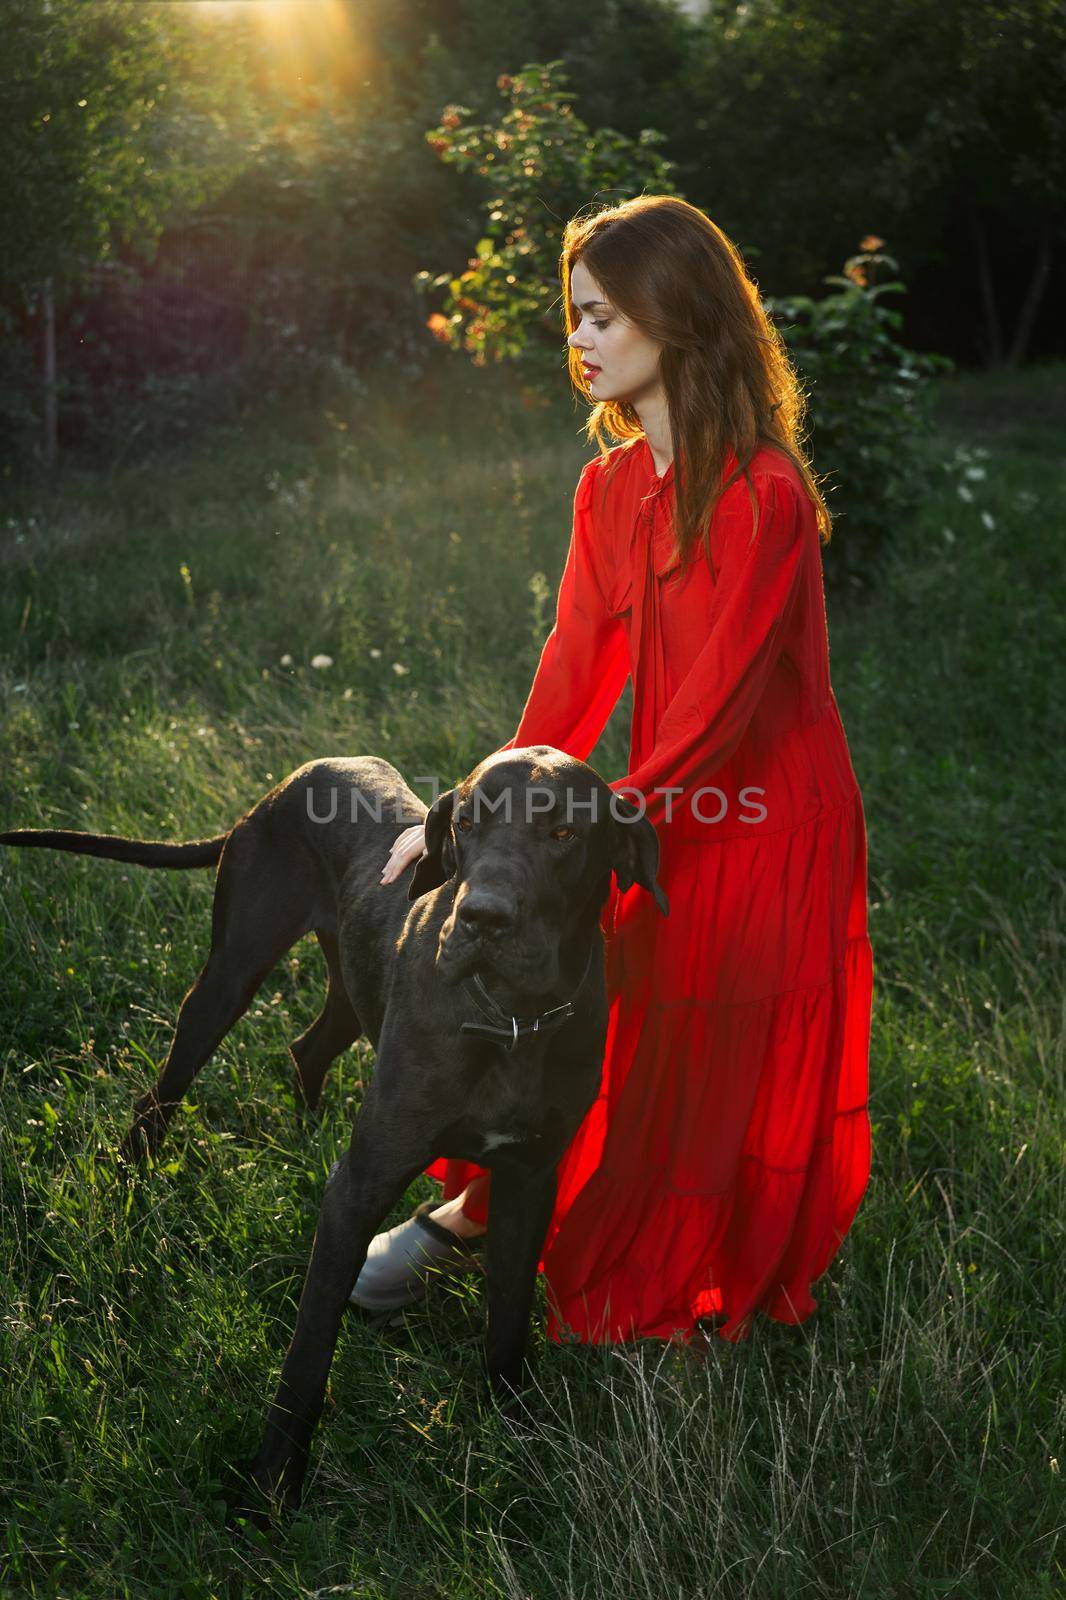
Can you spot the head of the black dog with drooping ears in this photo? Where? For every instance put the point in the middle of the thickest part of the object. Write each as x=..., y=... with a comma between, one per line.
x=532, y=839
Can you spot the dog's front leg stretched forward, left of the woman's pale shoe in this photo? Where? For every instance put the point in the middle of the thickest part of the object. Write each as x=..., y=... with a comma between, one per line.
x=358, y=1196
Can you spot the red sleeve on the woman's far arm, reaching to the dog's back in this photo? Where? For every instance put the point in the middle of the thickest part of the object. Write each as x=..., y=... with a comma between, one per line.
x=585, y=662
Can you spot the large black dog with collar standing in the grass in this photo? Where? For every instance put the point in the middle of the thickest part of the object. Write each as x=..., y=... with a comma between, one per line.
x=486, y=1004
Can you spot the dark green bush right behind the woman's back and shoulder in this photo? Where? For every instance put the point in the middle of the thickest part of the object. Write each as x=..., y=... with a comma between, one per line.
x=868, y=409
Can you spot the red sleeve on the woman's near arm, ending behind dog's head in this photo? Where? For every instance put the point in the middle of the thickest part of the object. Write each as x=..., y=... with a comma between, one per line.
x=708, y=716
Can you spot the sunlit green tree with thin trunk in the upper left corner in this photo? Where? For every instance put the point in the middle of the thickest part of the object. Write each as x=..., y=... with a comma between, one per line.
x=111, y=124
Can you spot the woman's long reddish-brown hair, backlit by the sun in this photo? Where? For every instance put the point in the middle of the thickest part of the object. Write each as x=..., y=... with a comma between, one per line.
x=729, y=382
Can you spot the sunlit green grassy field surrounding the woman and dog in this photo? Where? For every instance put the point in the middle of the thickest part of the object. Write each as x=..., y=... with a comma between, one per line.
x=159, y=625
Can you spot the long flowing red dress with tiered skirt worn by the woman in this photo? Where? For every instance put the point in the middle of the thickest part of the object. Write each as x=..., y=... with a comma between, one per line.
x=727, y=1153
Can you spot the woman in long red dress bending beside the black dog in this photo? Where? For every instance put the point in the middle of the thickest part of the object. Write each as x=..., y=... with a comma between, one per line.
x=727, y=1153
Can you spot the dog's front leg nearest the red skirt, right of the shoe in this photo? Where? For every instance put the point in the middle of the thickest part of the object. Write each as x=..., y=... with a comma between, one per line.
x=521, y=1209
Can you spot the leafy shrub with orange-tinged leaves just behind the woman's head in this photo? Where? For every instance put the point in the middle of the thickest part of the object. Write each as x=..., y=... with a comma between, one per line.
x=545, y=166
